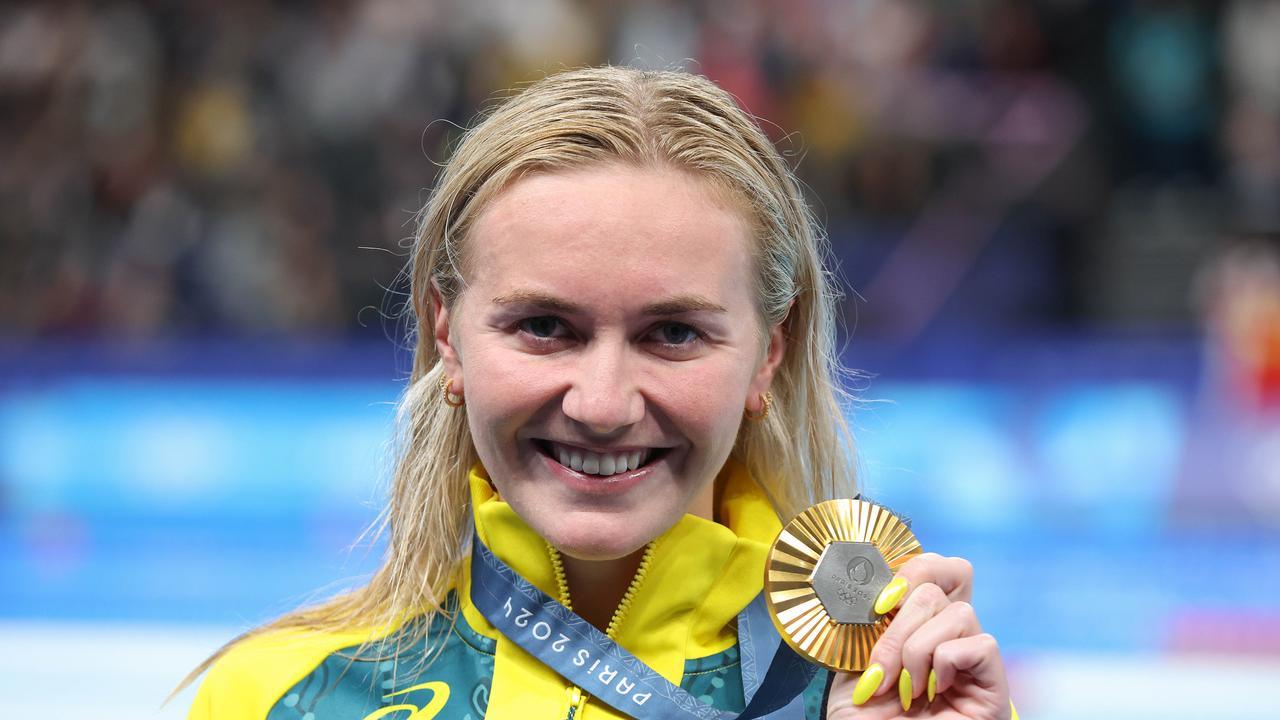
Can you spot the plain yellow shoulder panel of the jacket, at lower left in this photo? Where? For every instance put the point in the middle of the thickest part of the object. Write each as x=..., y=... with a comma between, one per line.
x=255, y=673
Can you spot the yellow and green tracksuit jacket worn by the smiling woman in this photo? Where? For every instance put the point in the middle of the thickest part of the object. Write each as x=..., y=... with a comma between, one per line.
x=680, y=621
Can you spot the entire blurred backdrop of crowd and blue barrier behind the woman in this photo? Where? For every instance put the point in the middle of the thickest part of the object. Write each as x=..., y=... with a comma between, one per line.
x=1060, y=224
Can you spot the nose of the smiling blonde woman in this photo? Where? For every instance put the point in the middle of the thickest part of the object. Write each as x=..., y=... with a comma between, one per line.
x=605, y=395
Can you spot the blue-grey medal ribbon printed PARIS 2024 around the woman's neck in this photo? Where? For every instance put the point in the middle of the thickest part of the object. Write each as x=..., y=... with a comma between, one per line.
x=589, y=659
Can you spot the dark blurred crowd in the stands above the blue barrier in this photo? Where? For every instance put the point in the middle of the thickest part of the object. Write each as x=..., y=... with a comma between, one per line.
x=248, y=167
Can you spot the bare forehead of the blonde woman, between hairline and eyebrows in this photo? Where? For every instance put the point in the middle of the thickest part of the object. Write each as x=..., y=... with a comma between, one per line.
x=612, y=235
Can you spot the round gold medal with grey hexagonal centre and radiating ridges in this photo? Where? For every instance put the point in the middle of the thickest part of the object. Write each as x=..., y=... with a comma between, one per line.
x=824, y=576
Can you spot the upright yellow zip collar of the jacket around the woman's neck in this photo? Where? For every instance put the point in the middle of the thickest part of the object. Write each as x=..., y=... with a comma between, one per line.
x=701, y=573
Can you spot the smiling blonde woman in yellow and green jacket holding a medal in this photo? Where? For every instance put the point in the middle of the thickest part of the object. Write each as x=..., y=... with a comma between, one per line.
x=624, y=377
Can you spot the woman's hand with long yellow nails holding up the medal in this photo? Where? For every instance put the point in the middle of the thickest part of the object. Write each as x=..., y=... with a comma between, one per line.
x=934, y=659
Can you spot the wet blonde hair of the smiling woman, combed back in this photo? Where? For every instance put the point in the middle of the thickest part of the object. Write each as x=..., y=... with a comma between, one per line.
x=799, y=454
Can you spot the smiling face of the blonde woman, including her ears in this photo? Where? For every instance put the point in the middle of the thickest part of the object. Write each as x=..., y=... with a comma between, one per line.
x=607, y=343
